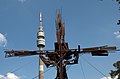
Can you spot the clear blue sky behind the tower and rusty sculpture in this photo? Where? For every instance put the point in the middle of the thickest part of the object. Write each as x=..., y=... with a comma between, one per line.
x=87, y=22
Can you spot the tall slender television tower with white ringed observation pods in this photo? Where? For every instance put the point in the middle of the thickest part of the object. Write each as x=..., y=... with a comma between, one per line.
x=40, y=45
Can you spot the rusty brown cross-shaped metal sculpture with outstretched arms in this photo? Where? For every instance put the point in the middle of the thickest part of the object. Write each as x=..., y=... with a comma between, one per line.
x=62, y=55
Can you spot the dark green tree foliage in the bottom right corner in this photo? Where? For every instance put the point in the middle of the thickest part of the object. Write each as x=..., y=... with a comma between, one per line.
x=116, y=72
